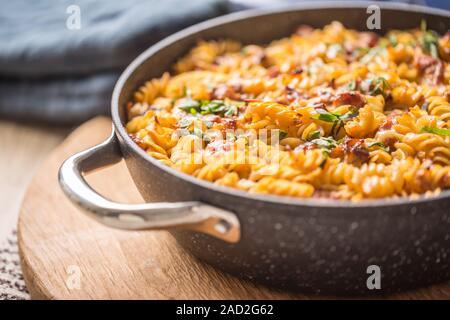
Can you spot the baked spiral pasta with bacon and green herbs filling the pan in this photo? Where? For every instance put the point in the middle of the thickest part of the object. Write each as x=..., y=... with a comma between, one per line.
x=329, y=112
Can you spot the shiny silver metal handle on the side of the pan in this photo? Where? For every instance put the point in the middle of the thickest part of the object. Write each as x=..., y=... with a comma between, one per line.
x=193, y=215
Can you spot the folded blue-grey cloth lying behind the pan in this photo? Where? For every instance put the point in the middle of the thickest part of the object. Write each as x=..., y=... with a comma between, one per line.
x=60, y=59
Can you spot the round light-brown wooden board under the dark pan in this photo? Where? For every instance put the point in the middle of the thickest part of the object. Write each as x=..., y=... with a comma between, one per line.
x=66, y=255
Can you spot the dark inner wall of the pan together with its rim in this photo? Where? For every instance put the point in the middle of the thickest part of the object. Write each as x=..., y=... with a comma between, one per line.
x=260, y=27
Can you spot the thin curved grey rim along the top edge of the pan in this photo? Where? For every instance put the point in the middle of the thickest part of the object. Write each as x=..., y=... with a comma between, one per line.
x=119, y=128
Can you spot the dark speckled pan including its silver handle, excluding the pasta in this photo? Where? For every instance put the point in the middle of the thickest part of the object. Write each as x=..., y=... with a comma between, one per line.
x=309, y=245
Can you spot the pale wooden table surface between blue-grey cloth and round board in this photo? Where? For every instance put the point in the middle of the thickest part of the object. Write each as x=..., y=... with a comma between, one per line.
x=22, y=148
